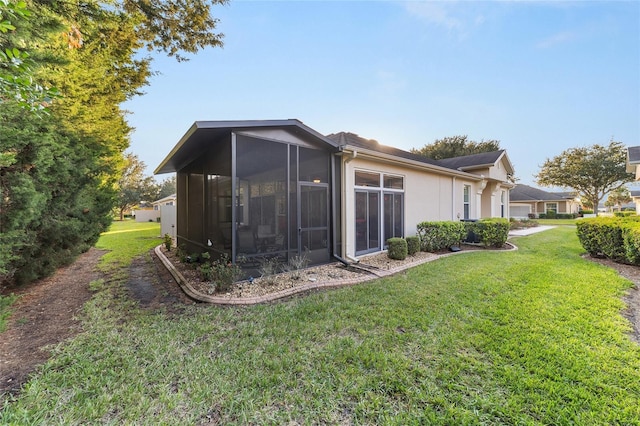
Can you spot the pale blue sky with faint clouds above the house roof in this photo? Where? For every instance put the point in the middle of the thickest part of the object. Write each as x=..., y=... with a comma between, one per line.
x=540, y=77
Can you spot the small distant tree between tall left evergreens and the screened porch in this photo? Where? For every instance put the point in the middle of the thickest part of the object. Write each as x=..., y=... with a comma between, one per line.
x=134, y=186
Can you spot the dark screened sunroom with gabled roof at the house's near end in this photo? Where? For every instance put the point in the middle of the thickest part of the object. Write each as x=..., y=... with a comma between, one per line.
x=256, y=189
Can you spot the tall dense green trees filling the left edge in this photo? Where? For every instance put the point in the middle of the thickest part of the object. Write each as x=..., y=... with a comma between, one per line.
x=65, y=69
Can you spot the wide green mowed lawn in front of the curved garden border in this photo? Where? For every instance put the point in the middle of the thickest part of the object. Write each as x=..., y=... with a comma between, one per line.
x=533, y=336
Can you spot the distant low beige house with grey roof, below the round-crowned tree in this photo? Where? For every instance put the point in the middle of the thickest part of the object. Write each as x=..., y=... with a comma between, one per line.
x=526, y=201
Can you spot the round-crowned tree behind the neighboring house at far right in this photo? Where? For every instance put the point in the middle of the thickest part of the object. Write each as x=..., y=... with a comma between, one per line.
x=592, y=171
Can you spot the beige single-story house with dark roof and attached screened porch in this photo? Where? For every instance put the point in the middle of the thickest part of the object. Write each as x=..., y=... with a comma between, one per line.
x=252, y=189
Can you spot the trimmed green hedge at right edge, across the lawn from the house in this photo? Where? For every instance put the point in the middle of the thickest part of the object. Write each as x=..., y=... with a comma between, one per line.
x=616, y=238
